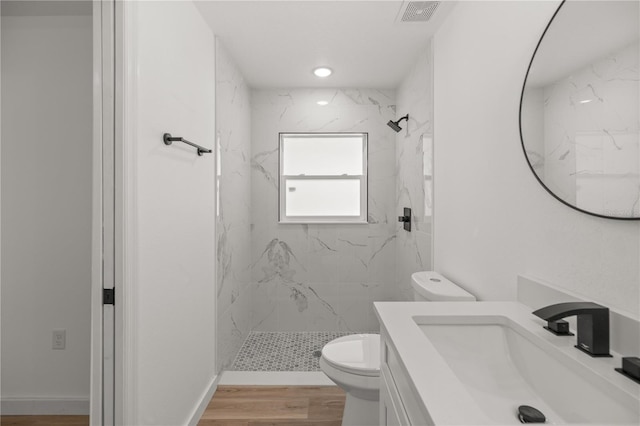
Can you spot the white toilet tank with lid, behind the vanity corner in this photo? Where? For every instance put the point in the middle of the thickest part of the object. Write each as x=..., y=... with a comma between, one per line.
x=432, y=287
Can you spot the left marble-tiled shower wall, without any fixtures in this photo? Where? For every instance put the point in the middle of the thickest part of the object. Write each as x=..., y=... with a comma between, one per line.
x=233, y=142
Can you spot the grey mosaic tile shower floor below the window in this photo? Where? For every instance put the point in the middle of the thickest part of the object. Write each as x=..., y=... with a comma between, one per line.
x=282, y=351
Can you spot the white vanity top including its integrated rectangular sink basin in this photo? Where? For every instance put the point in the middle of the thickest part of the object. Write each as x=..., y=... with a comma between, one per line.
x=471, y=363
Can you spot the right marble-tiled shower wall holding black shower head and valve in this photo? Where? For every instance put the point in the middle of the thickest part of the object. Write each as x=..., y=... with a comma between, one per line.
x=414, y=159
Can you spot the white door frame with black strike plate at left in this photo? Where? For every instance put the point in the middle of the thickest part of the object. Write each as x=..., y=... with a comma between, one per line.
x=108, y=401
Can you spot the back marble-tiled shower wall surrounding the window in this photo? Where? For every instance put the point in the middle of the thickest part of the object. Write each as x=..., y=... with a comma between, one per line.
x=321, y=277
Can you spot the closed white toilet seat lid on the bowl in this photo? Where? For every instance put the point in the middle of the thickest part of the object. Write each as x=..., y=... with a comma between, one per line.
x=356, y=354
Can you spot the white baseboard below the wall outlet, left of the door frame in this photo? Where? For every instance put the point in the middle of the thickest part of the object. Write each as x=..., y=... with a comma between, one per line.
x=44, y=406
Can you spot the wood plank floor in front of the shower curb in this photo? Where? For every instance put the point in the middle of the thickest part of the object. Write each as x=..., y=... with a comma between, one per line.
x=275, y=405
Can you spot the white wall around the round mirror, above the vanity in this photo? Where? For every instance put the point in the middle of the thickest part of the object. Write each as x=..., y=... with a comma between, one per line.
x=493, y=220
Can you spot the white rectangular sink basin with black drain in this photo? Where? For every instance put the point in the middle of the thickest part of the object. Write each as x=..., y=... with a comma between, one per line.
x=502, y=368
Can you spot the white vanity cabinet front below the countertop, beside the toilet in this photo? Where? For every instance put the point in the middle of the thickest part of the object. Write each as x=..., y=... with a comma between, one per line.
x=399, y=405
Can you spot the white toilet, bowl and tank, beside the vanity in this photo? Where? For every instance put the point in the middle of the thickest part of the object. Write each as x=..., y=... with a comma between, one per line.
x=353, y=362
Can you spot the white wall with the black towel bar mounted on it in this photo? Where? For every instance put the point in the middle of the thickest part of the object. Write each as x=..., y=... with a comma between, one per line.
x=173, y=212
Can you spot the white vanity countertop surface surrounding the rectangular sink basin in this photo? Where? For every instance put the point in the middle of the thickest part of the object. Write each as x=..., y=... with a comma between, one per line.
x=444, y=397
